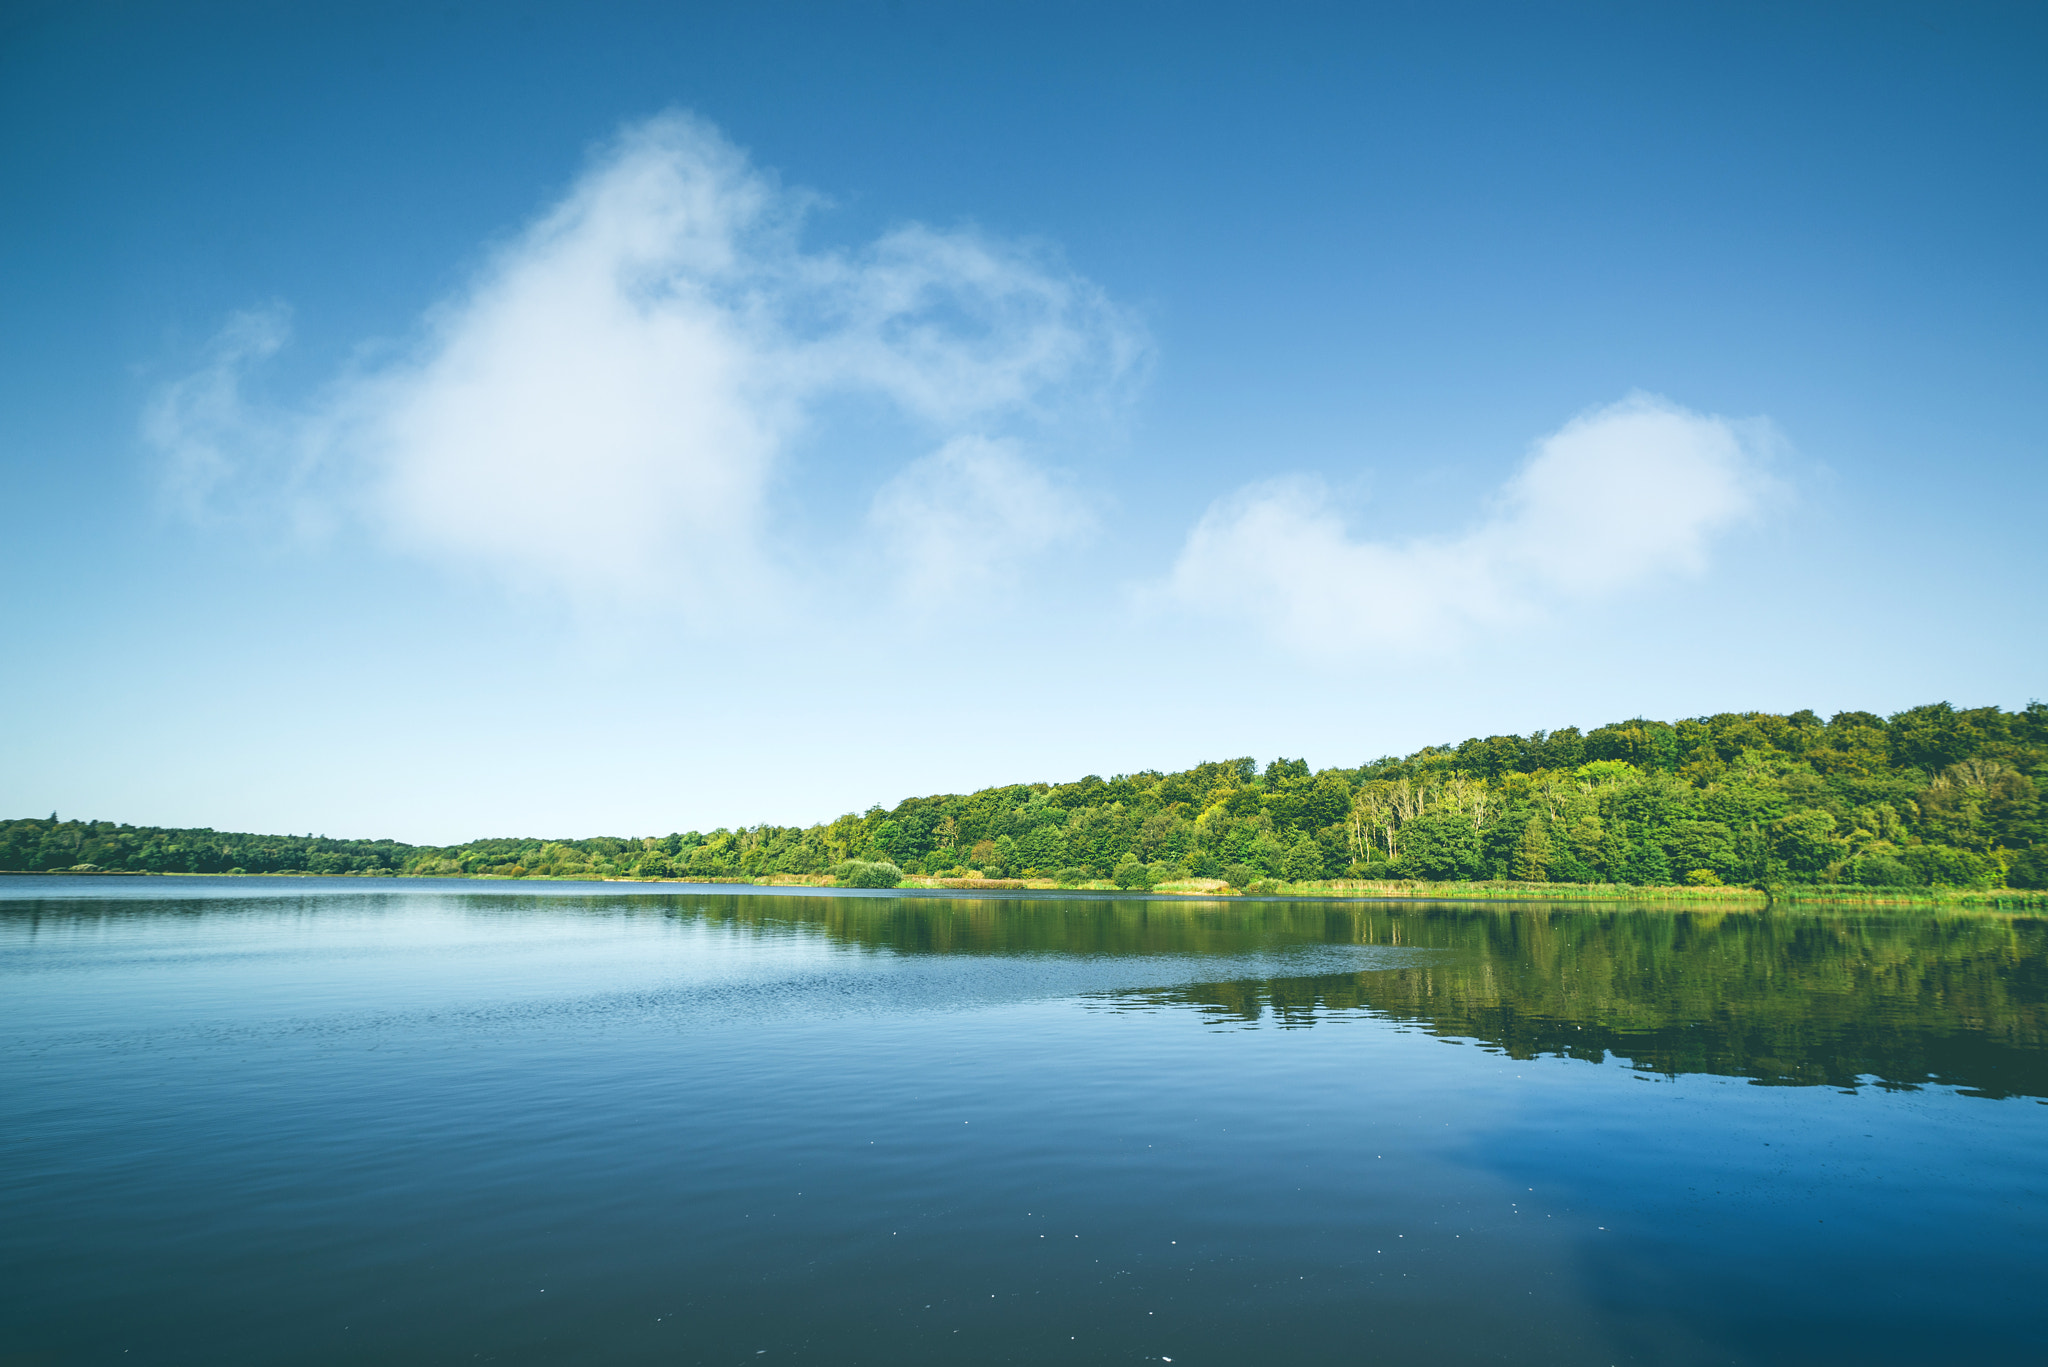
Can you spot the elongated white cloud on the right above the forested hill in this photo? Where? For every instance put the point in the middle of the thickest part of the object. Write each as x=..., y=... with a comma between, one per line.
x=1619, y=497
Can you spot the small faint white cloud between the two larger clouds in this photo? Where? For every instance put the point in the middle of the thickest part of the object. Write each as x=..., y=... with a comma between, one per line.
x=964, y=517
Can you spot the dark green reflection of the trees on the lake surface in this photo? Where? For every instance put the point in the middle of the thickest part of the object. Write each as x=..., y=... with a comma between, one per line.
x=1891, y=1001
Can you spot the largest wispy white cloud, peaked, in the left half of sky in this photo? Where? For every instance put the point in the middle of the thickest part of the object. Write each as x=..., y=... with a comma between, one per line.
x=607, y=407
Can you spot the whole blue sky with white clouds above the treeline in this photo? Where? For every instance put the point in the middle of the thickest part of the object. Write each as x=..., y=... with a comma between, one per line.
x=624, y=419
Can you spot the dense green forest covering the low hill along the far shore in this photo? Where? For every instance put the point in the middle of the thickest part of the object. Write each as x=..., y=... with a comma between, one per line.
x=1930, y=796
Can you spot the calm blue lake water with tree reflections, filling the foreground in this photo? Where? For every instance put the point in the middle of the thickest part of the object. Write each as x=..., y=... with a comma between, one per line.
x=351, y=1122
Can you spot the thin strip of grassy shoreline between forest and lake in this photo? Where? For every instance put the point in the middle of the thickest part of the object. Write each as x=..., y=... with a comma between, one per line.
x=1330, y=890
